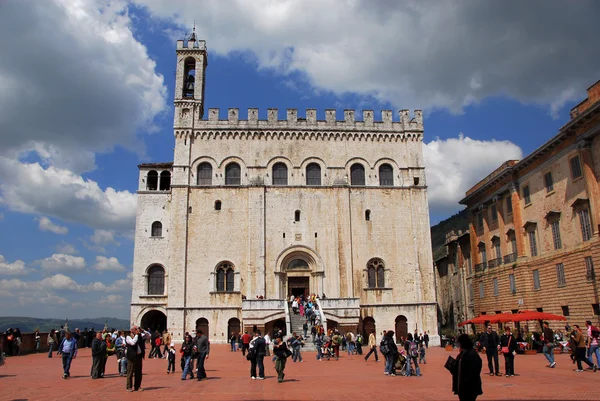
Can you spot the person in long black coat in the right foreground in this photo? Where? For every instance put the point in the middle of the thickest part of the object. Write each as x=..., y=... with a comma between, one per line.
x=466, y=373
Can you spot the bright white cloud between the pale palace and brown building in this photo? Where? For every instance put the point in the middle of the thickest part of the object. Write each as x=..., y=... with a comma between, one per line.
x=456, y=164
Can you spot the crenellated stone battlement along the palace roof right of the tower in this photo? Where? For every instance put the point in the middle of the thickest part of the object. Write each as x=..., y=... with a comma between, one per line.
x=404, y=123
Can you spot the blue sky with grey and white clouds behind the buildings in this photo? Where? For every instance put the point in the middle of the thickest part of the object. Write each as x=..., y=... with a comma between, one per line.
x=86, y=90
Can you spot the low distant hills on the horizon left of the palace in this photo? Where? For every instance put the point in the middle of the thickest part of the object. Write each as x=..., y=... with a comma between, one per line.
x=30, y=324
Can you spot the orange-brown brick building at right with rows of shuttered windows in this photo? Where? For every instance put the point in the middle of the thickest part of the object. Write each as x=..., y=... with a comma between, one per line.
x=534, y=225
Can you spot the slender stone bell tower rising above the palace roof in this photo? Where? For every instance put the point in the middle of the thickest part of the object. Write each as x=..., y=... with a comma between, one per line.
x=189, y=84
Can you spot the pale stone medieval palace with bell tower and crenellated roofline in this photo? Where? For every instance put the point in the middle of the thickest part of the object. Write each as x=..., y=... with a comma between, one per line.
x=258, y=209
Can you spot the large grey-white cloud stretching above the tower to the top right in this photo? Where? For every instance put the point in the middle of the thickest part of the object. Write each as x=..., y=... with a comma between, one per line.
x=414, y=54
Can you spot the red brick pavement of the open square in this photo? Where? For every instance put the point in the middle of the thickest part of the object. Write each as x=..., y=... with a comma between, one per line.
x=36, y=377
